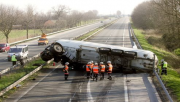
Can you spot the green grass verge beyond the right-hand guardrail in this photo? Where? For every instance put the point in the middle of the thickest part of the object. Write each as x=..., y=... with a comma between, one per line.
x=172, y=80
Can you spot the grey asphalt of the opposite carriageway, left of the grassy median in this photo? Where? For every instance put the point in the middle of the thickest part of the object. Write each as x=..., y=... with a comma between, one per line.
x=34, y=49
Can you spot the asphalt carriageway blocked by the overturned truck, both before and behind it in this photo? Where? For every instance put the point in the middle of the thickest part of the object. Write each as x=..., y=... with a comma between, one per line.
x=50, y=85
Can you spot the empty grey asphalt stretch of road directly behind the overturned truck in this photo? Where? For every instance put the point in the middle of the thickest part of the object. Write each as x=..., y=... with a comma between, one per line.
x=117, y=34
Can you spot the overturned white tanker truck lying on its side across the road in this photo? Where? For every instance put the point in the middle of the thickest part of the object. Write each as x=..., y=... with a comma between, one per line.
x=78, y=53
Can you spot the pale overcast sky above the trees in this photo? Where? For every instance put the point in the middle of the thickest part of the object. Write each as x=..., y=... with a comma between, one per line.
x=102, y=6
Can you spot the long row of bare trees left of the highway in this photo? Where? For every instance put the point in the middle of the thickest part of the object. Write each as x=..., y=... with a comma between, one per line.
x=60, y=17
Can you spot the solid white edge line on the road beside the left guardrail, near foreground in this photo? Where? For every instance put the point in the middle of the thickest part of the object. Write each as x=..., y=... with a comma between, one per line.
x=16, y=100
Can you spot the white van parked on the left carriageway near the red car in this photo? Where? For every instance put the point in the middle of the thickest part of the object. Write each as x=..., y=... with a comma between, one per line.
x=21, y=52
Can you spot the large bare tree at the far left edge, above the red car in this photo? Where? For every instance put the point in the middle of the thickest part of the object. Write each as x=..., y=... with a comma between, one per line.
x=8, y=16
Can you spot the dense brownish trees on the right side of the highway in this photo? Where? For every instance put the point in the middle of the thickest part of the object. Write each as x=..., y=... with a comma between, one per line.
x=163, y=16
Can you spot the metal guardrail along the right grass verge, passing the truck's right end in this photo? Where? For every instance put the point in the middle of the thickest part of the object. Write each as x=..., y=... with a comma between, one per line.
x=154, y=70
